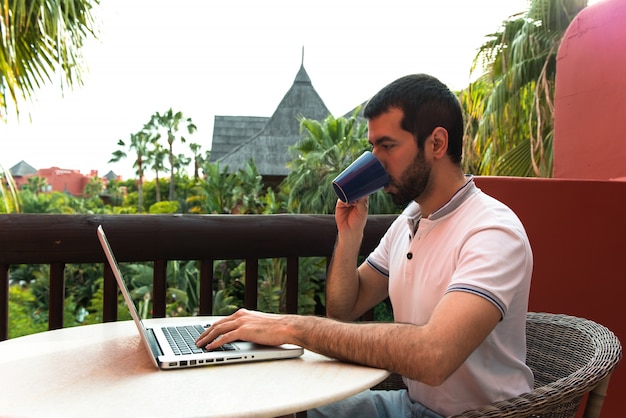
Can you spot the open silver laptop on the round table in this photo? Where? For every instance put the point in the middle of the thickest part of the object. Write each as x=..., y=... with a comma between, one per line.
x=171, y=344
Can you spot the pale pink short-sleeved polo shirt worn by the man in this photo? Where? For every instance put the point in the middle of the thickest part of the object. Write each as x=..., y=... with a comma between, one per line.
x=475, y=244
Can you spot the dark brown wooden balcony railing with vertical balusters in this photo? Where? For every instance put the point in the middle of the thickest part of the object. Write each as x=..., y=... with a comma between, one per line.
x=61, y=239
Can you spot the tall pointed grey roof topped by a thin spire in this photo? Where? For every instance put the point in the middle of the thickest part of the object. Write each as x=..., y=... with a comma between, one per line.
x=270, y=146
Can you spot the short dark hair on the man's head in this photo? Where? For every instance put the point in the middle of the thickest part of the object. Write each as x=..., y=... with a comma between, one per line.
x=426, y=104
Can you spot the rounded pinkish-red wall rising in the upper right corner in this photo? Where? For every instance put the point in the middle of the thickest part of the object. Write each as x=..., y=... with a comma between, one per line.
x=590, y=99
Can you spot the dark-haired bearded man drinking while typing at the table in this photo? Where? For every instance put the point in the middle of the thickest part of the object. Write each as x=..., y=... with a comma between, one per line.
x=456, y=265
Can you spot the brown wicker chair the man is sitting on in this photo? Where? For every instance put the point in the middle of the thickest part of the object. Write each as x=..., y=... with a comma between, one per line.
x=569, y=357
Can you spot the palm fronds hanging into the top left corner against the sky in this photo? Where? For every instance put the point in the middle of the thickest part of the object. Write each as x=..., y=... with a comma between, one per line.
x=37, y=39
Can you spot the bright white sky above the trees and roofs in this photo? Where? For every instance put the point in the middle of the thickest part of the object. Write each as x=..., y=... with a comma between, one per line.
x=208, y=58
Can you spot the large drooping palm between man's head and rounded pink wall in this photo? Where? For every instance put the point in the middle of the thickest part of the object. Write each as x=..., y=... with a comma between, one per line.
x=513, y=99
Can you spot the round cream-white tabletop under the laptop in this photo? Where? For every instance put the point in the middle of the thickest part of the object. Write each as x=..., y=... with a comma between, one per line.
x=104, y=370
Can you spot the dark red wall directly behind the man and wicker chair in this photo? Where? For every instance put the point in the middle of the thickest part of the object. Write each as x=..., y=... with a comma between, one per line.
x=577, y=230
